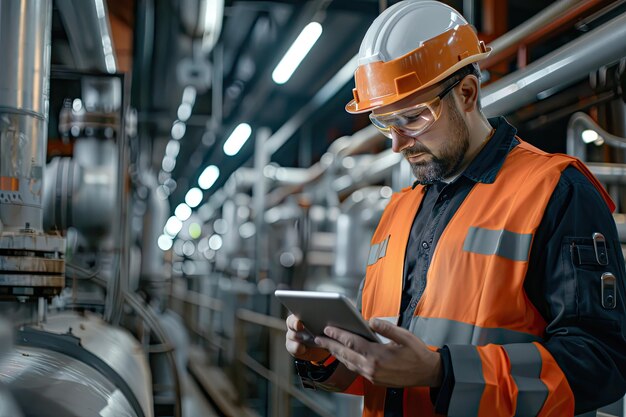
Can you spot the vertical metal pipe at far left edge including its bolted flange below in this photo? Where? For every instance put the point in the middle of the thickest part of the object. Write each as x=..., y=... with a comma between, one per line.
x=31, y=264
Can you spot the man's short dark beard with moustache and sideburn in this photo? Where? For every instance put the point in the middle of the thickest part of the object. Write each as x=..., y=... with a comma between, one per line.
x=451, y=153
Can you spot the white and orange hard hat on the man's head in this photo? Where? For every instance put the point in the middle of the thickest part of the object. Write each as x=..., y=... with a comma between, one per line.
x=410, y=46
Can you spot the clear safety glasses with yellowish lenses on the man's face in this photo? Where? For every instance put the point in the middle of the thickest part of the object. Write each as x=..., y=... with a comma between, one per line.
x=414, y=120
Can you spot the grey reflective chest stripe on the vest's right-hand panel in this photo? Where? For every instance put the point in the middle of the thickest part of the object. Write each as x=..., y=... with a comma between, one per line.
x=510, y=245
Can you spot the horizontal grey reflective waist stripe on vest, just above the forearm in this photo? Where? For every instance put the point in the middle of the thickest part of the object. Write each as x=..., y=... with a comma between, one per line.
x=439, y=332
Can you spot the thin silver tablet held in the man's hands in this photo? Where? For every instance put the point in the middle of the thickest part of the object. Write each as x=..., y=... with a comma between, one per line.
x=317, y=310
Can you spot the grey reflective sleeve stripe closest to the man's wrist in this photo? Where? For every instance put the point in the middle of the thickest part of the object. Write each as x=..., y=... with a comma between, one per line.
x=469, y=382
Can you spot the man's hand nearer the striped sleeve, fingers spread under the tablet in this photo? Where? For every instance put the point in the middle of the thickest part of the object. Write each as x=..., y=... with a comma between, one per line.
x=405, y=361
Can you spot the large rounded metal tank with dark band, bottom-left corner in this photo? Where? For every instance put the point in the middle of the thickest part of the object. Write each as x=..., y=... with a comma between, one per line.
x=77, y=365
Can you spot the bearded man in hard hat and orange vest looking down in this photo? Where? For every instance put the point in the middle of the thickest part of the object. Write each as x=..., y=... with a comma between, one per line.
x=502, y=268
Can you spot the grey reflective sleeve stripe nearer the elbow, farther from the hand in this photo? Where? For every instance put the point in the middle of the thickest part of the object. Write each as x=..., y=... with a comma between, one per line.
x=526, y=372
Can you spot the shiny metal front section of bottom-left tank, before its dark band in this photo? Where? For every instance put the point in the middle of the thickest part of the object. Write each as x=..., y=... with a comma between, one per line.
x=45, y=383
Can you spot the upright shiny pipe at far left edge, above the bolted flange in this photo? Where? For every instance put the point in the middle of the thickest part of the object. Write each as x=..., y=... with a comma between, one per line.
x=25, y=39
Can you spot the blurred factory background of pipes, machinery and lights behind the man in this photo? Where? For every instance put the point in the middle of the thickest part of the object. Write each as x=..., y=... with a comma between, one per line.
x=161, y=174
